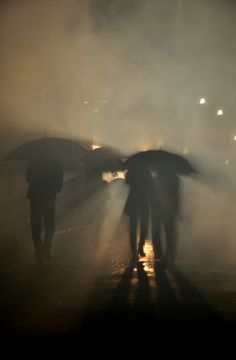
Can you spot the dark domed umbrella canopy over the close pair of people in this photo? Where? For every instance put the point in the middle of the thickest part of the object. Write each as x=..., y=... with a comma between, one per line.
x=163, y=160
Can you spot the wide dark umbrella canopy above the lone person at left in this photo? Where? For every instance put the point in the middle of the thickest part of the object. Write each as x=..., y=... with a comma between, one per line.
x=67, y=151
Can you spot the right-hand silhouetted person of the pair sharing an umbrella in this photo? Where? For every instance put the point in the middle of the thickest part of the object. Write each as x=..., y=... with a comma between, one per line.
x=165, y=210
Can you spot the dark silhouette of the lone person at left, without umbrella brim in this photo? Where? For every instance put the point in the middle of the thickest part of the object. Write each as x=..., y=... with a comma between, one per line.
x=45, y=177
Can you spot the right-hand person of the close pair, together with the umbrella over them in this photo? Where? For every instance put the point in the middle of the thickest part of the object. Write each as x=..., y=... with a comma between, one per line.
x=164, y=197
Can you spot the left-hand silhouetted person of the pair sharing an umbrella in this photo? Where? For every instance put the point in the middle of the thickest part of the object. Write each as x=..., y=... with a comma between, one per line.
x=137, y=206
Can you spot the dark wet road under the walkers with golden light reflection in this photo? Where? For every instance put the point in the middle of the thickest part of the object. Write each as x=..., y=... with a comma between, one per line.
x=84, y=291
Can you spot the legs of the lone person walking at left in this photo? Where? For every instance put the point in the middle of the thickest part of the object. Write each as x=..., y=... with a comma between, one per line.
x=42, y=211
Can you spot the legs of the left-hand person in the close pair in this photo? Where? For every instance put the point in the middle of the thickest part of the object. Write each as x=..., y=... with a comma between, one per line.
x=135, y=218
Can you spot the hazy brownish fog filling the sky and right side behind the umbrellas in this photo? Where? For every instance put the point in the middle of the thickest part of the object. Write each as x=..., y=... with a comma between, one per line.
x=130, y=74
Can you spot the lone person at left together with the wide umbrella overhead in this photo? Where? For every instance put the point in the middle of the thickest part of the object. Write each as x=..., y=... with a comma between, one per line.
x=45, y=177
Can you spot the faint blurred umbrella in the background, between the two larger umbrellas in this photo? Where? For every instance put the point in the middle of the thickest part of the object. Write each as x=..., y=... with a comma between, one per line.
x=103, y=159
